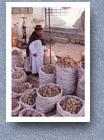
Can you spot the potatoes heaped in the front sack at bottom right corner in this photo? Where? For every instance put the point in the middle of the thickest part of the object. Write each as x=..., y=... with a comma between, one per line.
x=71, y=105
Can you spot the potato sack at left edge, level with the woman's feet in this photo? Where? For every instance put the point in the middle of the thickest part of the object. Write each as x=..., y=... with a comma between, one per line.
x=18, y=77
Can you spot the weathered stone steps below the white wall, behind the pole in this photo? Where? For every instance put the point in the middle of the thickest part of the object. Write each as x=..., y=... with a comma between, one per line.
x=64, y=35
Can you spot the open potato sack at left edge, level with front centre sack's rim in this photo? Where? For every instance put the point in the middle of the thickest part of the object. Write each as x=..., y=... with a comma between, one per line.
x=20, y=89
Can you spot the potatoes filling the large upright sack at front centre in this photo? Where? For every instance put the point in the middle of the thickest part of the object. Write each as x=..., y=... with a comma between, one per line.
x=49, y=90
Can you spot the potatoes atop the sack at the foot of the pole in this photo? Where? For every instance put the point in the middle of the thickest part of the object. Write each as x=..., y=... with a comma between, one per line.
x=48, y=69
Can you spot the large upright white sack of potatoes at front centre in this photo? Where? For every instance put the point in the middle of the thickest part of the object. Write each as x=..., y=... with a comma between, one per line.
x=47, y=97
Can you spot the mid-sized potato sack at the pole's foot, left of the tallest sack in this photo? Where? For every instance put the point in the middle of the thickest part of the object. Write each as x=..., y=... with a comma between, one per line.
x=46, y=75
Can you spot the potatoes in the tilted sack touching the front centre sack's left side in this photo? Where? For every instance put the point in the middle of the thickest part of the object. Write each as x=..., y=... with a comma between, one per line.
x=30, y=97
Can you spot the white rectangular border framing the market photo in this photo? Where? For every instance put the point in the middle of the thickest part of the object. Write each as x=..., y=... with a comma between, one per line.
x=9, y=118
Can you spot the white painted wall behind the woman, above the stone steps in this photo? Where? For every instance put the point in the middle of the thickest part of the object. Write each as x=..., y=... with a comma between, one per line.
x=73, y=19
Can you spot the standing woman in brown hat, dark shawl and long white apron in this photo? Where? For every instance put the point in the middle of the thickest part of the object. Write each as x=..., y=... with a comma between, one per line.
x=35, y=50
